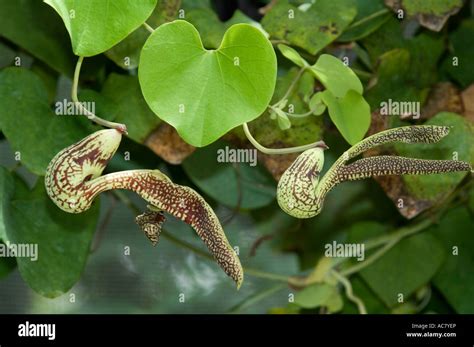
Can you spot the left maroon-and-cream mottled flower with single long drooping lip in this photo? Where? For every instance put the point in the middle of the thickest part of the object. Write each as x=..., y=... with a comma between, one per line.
x=73, y=180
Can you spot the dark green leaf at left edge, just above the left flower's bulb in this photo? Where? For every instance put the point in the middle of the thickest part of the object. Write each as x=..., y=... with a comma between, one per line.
x=28, y=122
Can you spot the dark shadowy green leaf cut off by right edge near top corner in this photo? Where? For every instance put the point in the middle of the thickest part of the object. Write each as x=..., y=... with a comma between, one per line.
x=458, y=64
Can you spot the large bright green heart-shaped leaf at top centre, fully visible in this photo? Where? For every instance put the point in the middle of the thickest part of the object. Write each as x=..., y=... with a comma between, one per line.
x=205, y=93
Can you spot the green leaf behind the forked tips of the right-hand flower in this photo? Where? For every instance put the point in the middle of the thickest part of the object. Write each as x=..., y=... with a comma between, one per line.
x=460, y=142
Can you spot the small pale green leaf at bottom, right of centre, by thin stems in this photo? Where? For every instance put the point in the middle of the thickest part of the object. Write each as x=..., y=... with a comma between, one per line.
x=316, y=295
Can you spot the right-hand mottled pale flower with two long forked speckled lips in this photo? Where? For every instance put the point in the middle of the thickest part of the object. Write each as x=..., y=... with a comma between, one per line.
x=301, y=193
